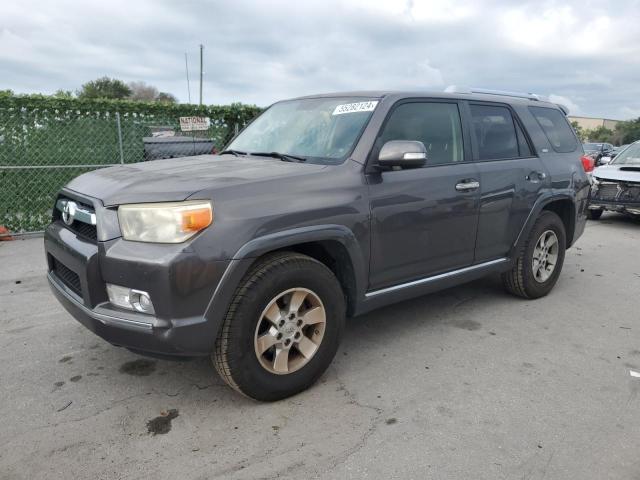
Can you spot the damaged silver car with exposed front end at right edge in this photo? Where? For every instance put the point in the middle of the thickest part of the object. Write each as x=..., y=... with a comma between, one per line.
x=616, y=186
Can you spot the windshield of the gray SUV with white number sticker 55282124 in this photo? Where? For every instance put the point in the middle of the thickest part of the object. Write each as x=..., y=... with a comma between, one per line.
x=322, y=130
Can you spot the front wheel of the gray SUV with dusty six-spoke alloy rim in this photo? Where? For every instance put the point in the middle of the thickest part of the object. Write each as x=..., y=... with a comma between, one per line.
x=264, y=293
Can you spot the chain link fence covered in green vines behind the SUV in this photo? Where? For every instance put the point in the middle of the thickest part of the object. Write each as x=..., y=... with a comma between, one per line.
x=43, y=147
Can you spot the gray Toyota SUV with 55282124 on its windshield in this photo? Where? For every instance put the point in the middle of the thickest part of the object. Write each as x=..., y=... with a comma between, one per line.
x=324, y=207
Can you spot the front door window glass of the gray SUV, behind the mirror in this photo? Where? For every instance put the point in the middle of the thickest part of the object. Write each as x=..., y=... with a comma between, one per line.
x=436, y=125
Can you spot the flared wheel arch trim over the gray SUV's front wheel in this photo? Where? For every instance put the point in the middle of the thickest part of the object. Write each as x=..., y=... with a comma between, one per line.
x=250, y=251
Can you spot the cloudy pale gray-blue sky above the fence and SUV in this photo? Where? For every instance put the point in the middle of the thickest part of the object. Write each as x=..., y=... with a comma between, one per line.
x=584, y=54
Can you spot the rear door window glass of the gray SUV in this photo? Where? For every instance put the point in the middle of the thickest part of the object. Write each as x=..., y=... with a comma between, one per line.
x=495, y=133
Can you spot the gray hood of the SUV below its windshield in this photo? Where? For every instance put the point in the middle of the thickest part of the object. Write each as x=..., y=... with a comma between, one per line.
x=175, y=179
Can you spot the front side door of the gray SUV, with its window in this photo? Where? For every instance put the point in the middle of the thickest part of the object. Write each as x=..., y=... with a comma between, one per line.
x=424, y=219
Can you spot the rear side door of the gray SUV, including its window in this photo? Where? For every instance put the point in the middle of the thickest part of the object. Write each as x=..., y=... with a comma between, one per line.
x=511, y=177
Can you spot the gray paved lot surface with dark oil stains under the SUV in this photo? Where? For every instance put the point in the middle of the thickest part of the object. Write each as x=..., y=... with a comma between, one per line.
x=469, y=383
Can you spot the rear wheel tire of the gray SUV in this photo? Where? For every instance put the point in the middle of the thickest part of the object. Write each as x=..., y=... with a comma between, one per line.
x=522, y=280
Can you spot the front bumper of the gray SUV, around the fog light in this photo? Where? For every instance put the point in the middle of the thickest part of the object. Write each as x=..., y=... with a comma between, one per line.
x=180, y=280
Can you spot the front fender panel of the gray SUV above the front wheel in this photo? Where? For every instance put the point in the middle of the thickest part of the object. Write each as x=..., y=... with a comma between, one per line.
x=253, y=220
